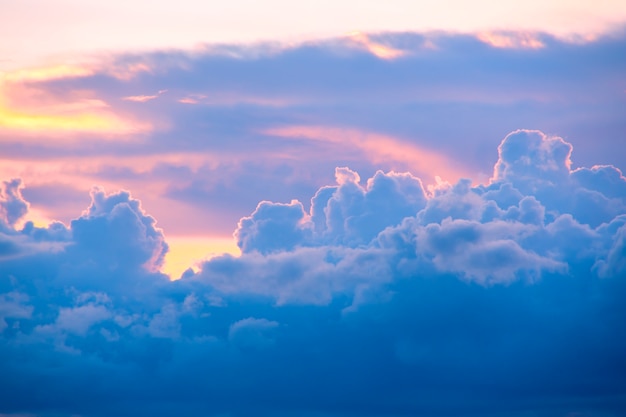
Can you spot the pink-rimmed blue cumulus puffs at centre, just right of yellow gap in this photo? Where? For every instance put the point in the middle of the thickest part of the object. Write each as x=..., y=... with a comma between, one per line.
x=348, y=214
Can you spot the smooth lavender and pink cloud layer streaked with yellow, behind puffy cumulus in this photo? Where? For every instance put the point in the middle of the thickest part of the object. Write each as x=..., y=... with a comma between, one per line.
x=189, y=130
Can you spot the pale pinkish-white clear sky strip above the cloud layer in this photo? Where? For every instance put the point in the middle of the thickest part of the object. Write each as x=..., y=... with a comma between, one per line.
x=36, y=30
